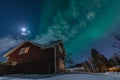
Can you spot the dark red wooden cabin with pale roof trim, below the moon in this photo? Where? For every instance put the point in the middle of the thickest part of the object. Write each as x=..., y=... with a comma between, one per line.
x=30, y=57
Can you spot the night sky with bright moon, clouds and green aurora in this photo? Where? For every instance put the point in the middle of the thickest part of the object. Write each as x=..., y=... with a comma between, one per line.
x=81, y=24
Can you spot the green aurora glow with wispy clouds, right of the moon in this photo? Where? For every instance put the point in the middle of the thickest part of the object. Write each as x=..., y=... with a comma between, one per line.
x=82, y=24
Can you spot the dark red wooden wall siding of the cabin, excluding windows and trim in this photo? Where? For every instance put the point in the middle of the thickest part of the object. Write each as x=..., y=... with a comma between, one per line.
x=37, y=60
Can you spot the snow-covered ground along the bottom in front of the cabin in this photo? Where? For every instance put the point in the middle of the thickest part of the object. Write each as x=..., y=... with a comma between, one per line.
x=79, y=76
